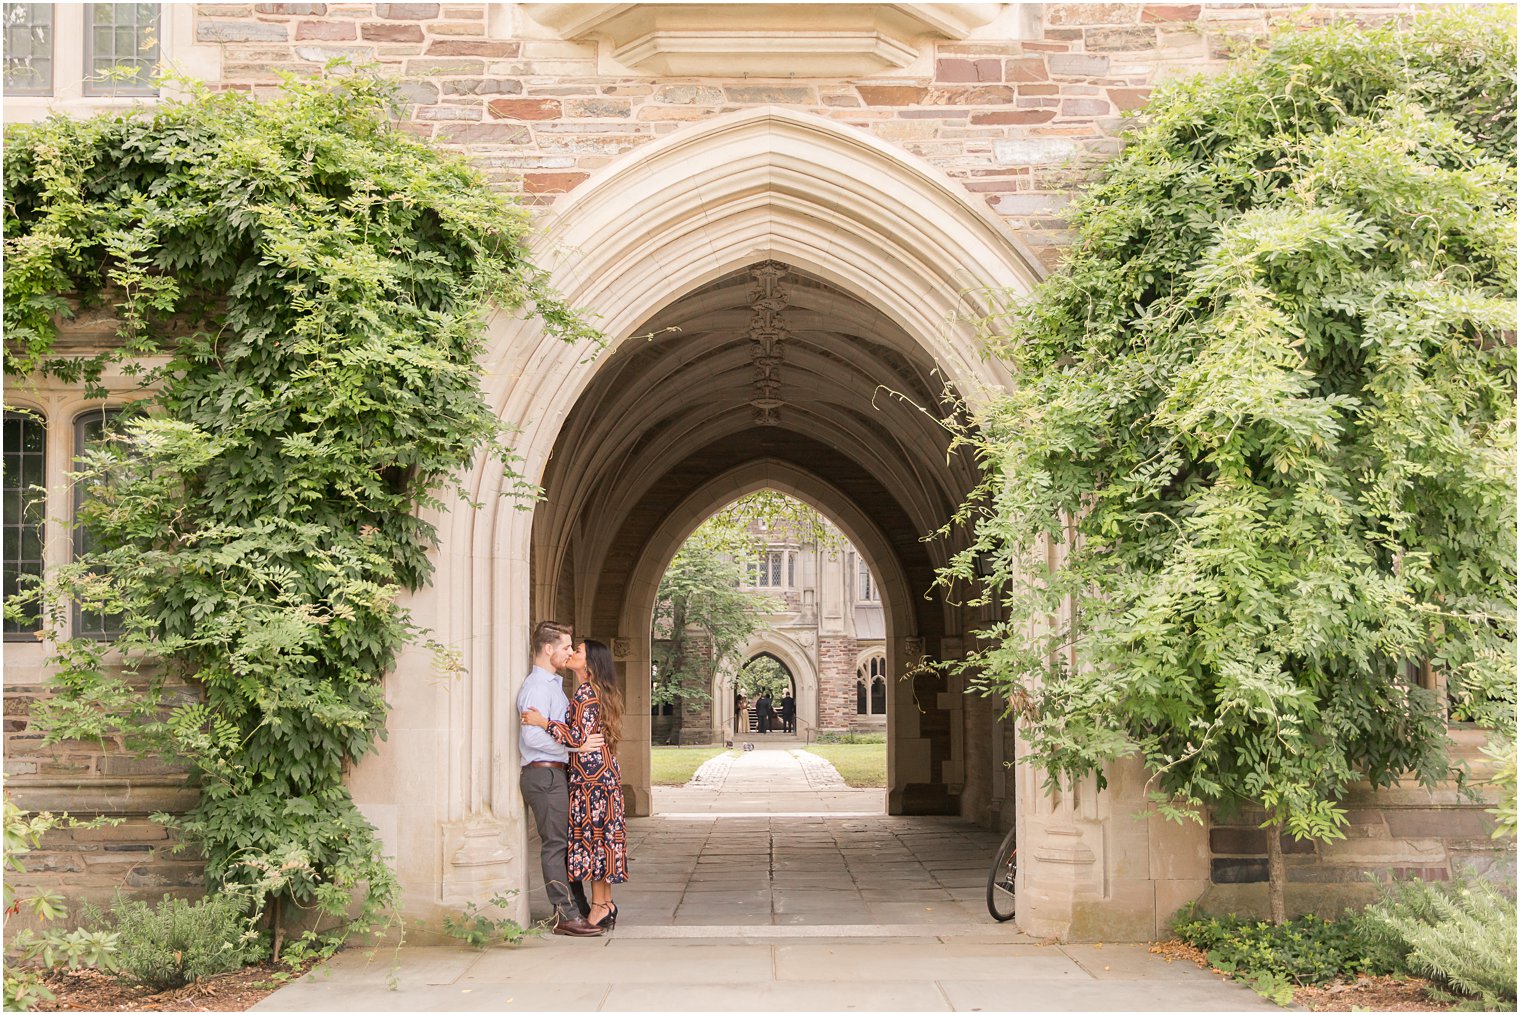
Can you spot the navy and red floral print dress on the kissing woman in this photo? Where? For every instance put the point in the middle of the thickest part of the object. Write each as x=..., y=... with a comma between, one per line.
x=598, y=824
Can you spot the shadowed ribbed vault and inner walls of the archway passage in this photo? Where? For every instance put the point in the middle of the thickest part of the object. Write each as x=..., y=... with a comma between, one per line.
x=770, y=376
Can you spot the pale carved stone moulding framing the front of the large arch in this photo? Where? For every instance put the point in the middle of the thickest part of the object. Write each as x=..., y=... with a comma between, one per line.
x=758, y=185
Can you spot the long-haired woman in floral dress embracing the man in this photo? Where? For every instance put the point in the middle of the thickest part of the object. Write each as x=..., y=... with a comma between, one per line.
x=598, y=852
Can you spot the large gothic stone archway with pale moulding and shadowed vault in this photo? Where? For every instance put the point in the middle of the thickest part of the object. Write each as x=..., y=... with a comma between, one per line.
x=882, y=267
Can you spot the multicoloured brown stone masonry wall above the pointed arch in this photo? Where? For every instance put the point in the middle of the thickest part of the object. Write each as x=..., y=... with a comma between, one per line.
x=1019, y=124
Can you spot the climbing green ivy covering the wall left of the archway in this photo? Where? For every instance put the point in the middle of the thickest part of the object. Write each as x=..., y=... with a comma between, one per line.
x=302, y=288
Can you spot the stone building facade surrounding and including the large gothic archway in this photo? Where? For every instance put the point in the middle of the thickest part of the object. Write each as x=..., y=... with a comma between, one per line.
x=875, y=177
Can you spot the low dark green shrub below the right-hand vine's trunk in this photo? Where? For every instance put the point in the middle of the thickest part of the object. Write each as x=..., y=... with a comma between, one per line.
x=1303, y=952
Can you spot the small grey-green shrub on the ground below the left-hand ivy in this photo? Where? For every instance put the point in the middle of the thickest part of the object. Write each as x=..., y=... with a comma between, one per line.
x=177, y=941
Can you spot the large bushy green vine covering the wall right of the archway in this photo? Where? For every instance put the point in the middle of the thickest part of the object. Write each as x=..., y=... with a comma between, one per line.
x=1265, y=414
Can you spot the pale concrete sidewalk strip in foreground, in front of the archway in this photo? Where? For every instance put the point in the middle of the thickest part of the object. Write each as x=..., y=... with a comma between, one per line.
x=899, y=970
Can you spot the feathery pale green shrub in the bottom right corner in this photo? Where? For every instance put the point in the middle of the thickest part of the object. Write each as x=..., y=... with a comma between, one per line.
x=1461, y=934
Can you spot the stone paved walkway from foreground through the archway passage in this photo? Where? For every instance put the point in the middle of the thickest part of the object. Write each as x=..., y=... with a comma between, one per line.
x=759, y=888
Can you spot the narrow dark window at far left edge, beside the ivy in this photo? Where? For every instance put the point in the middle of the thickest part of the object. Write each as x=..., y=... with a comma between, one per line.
x=25, y=513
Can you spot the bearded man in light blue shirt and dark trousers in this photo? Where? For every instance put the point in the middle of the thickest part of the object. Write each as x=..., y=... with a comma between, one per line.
x=545, y=788
